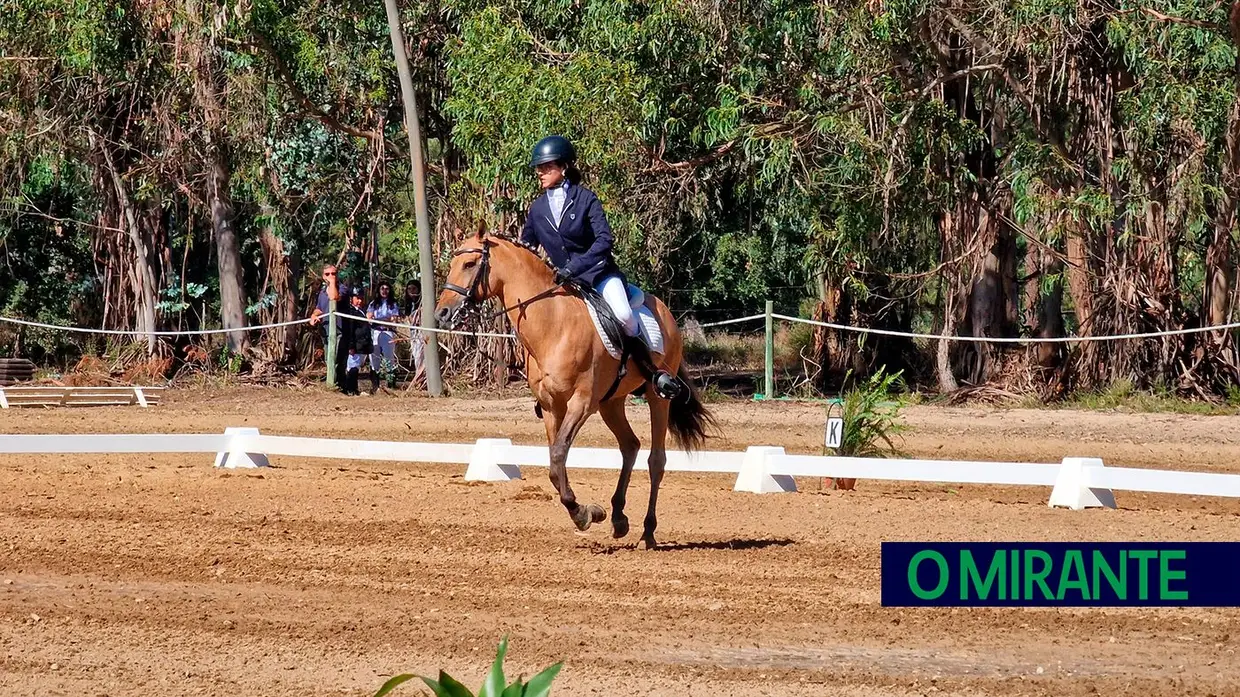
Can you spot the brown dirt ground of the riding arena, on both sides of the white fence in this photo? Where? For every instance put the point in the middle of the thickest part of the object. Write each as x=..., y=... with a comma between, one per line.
x=144, y=575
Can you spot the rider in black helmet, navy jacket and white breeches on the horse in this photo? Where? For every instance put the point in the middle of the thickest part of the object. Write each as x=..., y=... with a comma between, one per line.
x=567, y=221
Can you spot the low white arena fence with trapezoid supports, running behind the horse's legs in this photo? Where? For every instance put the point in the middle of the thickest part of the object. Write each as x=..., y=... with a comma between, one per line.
x=1077, y=483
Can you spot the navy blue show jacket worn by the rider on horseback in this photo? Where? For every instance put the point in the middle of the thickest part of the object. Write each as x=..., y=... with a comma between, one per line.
x=582, y=244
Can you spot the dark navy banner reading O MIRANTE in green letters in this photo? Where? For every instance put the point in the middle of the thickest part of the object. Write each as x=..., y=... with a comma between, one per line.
x=1200, y=575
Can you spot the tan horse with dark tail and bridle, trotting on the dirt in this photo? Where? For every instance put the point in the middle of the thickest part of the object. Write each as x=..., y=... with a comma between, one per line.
x=570, y=371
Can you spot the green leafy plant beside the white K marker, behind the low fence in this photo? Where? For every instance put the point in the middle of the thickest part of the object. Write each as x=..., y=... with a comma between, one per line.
x=871, y=417
